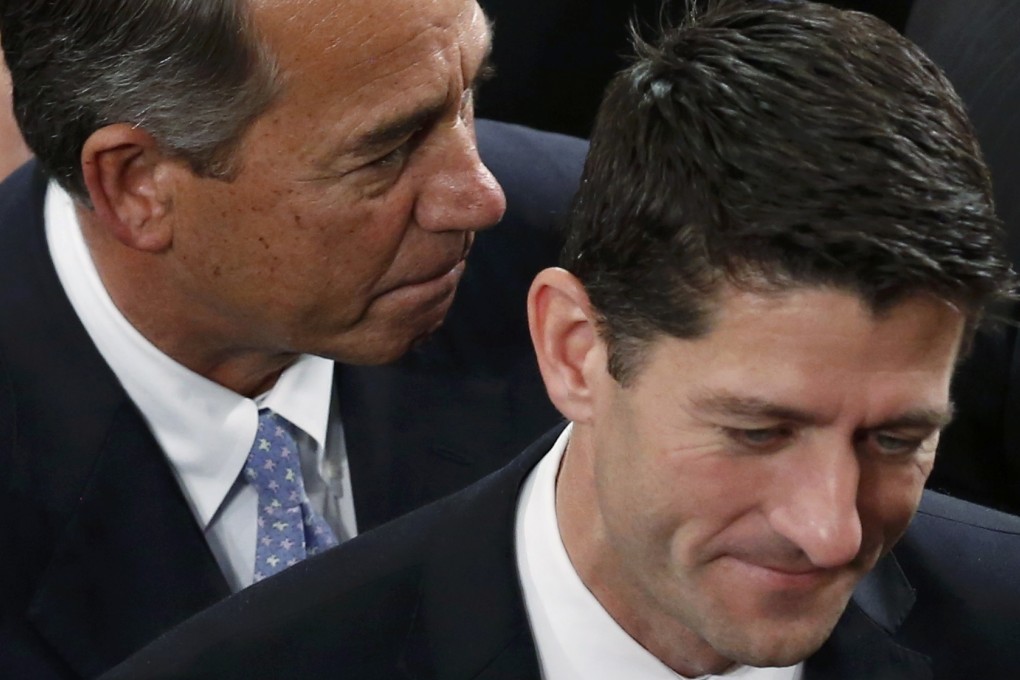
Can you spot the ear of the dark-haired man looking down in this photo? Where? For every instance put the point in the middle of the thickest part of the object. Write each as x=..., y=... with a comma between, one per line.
x=565, y=332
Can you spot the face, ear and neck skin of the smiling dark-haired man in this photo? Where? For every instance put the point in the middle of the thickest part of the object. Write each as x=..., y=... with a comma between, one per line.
x=724, y=506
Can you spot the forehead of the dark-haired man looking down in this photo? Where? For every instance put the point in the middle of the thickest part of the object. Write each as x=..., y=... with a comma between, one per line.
x=804, y=355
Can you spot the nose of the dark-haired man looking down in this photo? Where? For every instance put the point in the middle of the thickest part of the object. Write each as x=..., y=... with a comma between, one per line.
x=818, y=509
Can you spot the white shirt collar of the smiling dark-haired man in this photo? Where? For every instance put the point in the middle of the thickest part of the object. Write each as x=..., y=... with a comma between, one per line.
x=576, y=638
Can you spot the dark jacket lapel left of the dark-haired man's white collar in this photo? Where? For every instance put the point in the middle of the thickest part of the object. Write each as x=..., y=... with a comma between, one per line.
x=472, y=621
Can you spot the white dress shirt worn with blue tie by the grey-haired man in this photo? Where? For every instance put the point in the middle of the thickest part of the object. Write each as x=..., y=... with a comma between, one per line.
x=206, y=430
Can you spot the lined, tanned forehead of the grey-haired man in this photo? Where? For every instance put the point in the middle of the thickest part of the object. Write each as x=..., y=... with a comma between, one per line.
x=369, y=73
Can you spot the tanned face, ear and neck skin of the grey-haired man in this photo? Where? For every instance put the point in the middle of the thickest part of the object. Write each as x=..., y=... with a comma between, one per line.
x=345, y=230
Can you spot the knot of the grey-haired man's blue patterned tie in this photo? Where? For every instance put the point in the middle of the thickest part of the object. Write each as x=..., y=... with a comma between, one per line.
x=274, y=466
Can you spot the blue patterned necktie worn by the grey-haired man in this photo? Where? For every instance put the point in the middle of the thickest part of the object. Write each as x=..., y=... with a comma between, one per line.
x=289, y=530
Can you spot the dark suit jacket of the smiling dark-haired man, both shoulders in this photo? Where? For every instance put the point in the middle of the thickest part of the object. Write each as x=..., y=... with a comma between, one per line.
x=436, y=596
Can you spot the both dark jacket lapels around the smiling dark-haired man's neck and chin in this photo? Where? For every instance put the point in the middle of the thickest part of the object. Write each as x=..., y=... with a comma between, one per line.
x=472, y=621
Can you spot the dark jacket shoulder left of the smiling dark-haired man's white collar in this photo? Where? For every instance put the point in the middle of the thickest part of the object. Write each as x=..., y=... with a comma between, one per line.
x=433, y=594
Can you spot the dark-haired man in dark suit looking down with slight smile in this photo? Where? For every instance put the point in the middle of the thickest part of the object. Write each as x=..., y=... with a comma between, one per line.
x=783, y=242
